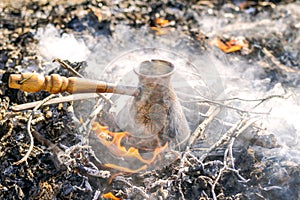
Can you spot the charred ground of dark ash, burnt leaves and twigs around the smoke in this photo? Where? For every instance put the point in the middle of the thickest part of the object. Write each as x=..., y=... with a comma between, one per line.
x=62, y=166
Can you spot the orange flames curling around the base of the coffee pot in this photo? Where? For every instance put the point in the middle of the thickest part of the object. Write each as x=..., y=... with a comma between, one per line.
x=113, y=140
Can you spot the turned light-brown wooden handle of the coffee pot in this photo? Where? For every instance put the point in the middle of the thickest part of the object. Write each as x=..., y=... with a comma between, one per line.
x=33, y=82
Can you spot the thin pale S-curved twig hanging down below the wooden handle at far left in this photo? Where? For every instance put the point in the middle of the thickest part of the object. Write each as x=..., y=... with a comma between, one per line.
x=29, y=129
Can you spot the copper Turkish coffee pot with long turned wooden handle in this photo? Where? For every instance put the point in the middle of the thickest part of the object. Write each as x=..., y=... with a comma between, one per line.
x=154, y=115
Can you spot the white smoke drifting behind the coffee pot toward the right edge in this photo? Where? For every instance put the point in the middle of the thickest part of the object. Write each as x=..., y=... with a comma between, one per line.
x=208, y=76
